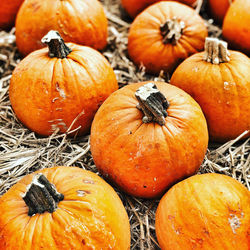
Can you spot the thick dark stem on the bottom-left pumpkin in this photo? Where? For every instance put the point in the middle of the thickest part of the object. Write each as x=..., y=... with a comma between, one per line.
x=41, y=196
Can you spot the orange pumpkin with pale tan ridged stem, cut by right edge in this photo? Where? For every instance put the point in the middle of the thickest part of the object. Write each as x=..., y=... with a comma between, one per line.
x=220, y=83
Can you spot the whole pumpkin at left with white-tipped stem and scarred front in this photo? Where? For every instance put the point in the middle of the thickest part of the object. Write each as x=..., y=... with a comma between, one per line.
x=60, y=88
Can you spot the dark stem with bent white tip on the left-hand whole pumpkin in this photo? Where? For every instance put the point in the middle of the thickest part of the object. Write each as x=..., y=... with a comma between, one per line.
x=57, y=47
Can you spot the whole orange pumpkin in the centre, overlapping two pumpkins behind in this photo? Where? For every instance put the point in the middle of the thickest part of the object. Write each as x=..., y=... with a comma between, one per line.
x=147, y=136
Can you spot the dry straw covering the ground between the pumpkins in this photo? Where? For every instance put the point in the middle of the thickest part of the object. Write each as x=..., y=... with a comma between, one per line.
x=22, y=152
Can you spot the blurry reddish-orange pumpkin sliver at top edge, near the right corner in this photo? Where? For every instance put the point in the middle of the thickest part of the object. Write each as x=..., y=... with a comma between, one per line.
x=218, y=8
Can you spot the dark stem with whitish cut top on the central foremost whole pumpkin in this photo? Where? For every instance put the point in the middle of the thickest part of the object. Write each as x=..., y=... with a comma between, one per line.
x=152, y=103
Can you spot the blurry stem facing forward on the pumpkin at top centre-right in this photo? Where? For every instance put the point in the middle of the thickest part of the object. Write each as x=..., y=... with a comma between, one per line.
x=171, y=30
